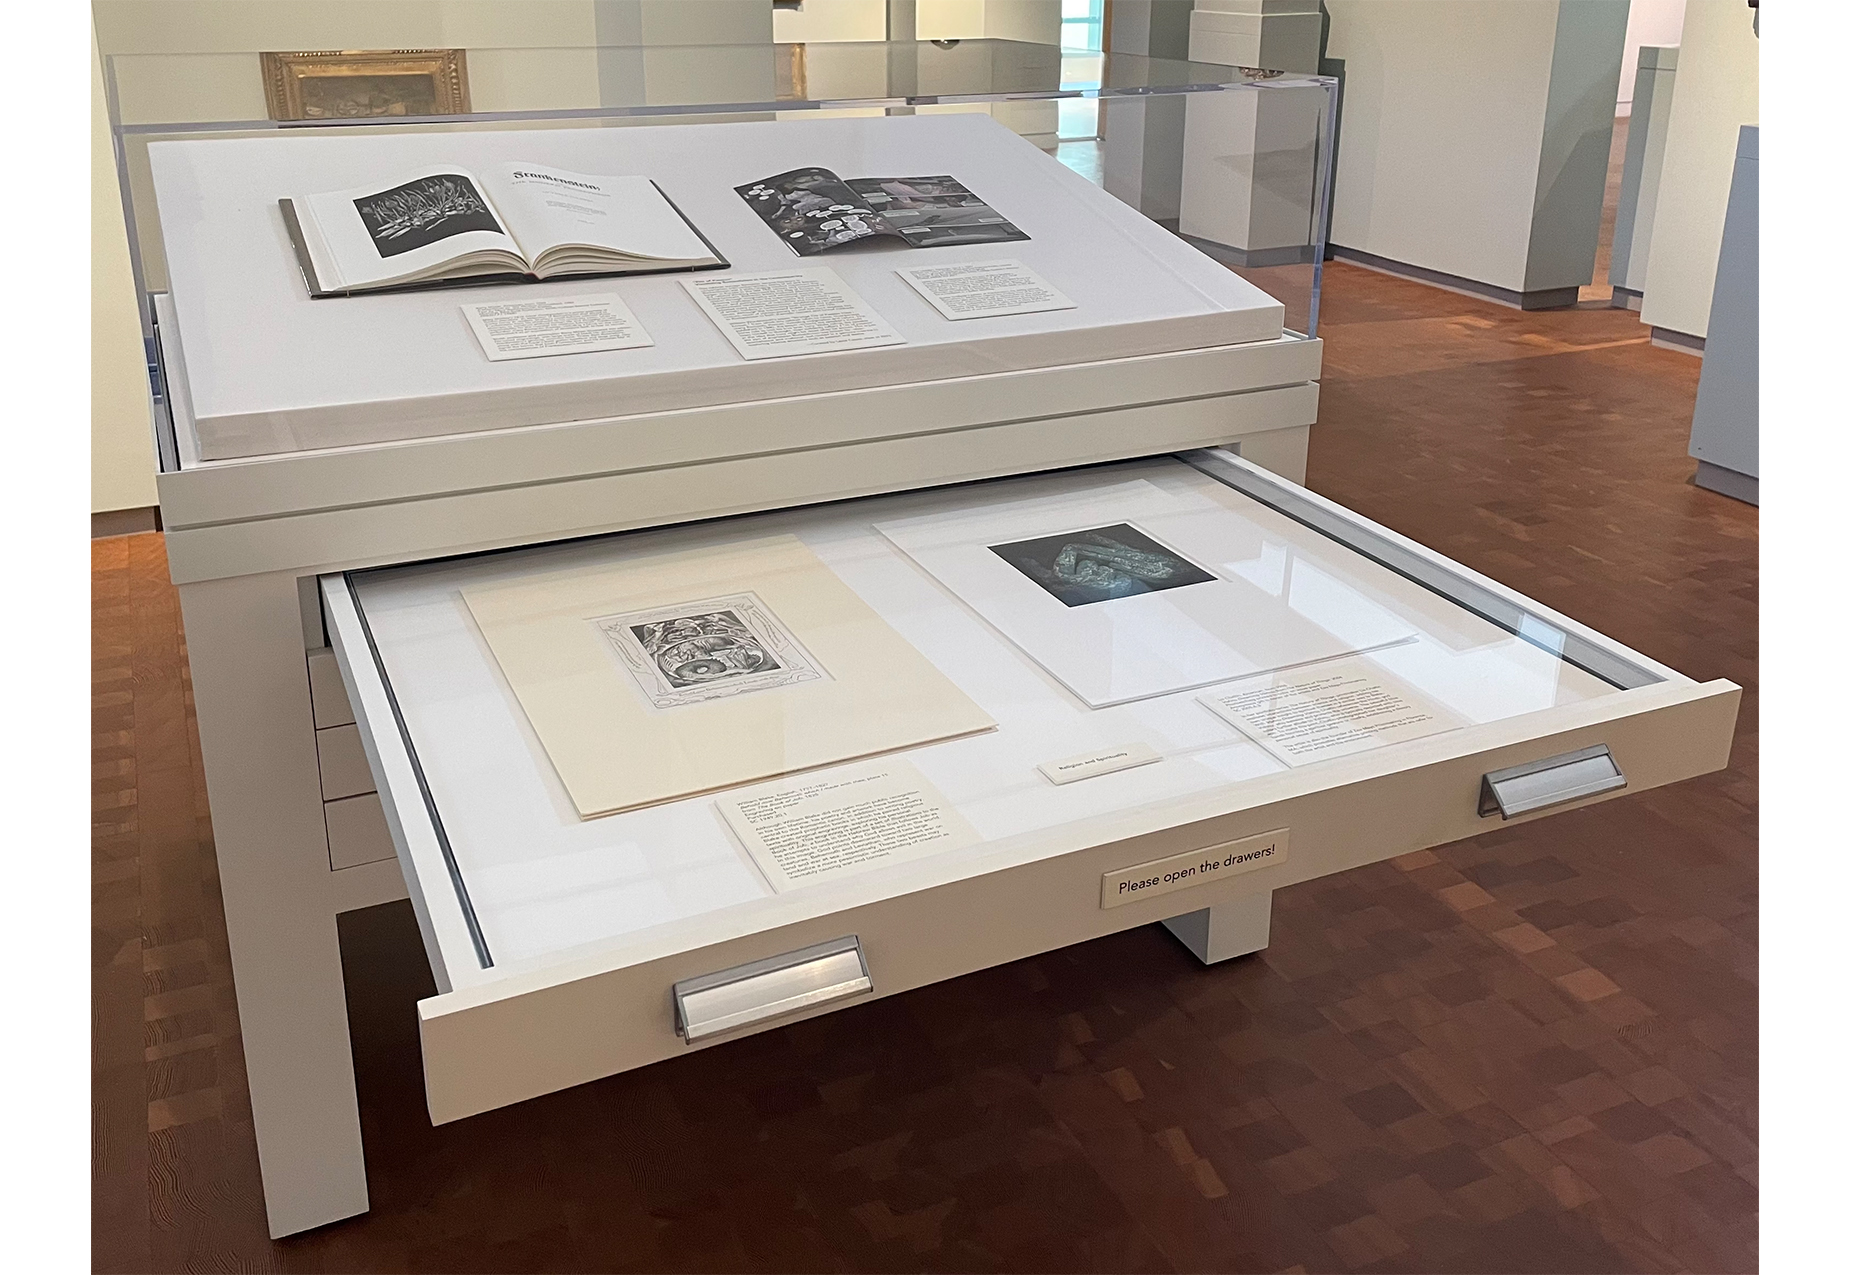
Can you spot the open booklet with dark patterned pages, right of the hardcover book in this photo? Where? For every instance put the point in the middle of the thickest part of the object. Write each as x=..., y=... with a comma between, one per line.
x=813, y=212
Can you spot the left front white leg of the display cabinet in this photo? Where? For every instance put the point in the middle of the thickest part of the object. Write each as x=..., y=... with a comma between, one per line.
x=251, y=689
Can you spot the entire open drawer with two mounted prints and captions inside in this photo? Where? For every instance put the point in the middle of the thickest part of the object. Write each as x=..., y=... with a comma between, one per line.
x=1301, y=693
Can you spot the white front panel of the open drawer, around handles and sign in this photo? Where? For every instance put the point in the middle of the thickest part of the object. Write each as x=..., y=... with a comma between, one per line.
x=500, y=1045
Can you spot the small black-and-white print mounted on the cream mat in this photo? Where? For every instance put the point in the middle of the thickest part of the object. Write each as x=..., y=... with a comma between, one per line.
x=713, y=649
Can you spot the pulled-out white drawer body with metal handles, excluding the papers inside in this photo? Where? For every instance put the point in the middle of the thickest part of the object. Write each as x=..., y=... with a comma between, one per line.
x=558, y=943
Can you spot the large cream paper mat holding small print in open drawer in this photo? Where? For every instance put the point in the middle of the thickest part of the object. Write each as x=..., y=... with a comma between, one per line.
x=691, y=673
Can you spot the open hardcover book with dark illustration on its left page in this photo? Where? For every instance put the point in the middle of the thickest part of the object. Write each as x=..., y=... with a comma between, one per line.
x=447, y=227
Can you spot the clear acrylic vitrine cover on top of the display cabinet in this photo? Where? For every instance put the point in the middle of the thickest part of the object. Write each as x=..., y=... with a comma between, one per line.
x=1233, y=164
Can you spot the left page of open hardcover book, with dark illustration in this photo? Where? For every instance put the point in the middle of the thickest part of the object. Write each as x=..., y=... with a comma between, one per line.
x=436, y=223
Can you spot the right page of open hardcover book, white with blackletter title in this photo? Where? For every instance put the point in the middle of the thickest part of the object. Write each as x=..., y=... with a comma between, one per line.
x=573, y=221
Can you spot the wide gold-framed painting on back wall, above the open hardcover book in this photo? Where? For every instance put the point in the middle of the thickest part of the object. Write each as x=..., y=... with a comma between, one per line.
x=356, y=84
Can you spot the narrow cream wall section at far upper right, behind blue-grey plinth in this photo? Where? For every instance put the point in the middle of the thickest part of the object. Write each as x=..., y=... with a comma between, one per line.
x=1718, y=92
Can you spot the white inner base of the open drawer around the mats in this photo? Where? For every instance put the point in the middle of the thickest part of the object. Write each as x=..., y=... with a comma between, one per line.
x=545, y=882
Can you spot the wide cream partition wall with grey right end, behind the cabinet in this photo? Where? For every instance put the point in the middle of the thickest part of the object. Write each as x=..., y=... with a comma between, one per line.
x=1477, y=134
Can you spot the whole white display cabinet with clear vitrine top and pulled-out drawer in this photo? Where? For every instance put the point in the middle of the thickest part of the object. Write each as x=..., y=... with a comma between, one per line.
x=338, y=473
